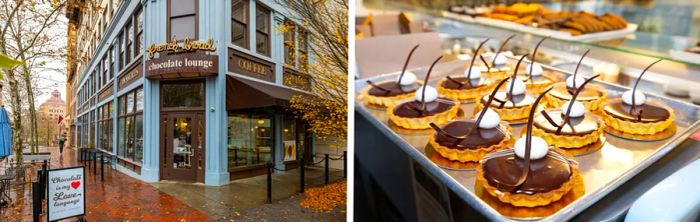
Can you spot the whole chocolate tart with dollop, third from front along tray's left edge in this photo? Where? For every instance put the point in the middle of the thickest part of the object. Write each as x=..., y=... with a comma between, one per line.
x=426, y=108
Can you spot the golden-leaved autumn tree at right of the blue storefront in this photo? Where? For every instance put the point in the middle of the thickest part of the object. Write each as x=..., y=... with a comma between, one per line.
x=326, y=25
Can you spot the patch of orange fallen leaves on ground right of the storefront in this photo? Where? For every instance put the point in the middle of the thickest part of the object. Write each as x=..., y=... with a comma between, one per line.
x=325, y=198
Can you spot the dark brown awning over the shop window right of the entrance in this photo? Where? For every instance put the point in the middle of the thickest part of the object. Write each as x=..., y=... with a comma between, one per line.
x=244, y=92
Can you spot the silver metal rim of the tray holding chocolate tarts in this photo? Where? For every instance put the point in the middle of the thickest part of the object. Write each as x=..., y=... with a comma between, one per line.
x=565, y=213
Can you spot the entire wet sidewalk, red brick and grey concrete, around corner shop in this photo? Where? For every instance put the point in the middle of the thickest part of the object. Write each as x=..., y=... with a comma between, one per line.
x=123, y=198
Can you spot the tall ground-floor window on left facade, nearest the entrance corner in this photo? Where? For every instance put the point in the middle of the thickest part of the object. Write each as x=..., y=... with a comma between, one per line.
x=130, y=130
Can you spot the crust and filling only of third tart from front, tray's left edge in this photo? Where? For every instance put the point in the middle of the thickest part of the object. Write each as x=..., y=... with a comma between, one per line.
x=410, y=116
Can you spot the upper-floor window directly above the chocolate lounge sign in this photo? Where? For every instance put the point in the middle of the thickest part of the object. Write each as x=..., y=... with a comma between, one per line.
x=182, y=19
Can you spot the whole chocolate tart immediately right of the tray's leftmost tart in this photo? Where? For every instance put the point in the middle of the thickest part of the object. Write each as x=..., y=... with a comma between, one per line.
x=464, y=88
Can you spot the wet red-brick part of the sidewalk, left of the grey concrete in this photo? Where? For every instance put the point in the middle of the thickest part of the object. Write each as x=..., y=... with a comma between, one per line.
x=117, y=198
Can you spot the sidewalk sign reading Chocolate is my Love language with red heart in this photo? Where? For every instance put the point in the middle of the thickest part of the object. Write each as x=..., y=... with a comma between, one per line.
x=66, y=193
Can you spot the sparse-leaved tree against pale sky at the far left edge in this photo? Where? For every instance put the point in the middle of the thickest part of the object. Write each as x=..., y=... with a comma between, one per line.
x=28, y=33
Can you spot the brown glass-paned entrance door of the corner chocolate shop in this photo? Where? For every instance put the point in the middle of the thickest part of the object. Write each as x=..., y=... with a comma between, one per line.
x=182, y=146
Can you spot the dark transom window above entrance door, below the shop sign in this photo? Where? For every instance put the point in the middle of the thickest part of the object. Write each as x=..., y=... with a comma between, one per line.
x=182, y=94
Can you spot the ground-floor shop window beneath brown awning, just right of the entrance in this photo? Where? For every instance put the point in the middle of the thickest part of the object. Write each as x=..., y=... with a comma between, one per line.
x=250, y=140
